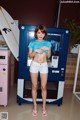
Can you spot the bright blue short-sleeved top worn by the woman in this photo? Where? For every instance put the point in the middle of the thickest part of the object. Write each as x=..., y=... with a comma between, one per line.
x=36, y=44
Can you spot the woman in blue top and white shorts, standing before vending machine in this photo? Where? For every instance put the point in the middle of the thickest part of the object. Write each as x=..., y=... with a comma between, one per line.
x=40, y=51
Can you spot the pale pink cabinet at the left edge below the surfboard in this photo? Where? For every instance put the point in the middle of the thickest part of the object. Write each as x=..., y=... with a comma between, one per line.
x=4, y=76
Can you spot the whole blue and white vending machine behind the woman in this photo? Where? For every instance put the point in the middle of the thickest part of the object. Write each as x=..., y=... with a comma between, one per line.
x=57, y=65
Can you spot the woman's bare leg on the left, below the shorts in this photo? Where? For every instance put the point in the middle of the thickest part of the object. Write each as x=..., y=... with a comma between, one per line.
x=34, y=80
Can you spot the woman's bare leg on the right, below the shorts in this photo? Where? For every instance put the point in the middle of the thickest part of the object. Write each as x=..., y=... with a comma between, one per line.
x=43, y=88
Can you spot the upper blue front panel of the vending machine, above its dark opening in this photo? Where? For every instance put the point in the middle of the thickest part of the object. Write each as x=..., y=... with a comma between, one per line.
x=57, y=63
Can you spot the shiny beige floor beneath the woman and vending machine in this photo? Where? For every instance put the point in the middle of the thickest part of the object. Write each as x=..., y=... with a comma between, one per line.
x=69, y=110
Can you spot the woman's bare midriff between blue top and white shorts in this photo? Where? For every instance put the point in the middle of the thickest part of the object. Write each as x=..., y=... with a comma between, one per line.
x=40, y=58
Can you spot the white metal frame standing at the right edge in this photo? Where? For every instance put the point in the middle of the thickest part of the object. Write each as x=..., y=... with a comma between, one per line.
x=77, y=94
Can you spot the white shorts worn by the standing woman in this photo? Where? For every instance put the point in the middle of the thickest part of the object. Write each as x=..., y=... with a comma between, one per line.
x=38, y=67
